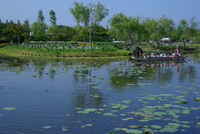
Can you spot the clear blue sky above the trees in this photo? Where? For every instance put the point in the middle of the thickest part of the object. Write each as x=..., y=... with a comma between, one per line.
x=28, y=9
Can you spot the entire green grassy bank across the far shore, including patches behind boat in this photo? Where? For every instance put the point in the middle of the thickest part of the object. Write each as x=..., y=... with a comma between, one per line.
x=52, y=53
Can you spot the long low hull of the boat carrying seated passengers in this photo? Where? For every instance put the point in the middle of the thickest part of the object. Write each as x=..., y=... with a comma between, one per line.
x=180, y=58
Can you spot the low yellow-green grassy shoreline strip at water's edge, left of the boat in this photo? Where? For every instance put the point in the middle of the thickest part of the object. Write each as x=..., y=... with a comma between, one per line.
x=31, y=54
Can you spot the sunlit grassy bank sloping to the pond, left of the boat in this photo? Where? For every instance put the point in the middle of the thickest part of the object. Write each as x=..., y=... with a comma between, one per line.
x=22, y=52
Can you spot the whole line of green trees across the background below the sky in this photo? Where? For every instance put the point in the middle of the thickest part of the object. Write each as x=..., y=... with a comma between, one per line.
x=130, y=30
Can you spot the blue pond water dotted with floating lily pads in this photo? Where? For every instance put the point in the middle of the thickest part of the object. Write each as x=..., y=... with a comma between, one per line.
x=97, y=97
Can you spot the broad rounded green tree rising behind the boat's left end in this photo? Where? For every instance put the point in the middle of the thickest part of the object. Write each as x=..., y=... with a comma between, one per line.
x=127, y=29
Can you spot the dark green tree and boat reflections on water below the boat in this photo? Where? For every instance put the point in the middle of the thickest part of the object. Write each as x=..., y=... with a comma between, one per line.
x=128, y=72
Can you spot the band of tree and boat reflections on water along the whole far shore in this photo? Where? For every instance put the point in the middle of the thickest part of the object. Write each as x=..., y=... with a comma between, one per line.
x=120, y=73
